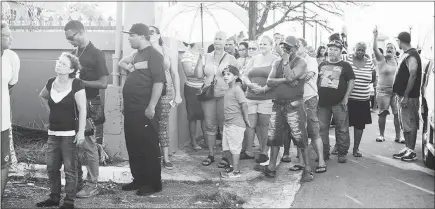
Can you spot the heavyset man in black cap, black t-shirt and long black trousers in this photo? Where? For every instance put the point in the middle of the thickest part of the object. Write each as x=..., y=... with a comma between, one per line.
x=141, y=92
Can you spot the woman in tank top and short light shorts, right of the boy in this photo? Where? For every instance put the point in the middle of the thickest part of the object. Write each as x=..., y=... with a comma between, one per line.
x=259, y=106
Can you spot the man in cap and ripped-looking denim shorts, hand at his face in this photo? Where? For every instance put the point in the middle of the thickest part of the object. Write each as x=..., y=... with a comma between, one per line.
x=287, y=79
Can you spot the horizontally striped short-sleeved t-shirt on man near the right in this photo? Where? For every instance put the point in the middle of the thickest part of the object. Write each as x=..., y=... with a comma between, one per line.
x=363, y=79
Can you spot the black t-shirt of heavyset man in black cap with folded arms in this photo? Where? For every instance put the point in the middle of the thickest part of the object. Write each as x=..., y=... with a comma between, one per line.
x=138, y=85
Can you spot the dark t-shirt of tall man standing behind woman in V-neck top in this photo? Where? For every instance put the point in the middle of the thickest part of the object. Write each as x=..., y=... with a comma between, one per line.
x=93, y=62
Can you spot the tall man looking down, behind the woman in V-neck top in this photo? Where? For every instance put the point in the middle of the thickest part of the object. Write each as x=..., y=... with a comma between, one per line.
x=94, y=76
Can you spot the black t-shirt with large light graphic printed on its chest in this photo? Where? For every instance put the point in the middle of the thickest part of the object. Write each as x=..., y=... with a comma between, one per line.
x=333, y=81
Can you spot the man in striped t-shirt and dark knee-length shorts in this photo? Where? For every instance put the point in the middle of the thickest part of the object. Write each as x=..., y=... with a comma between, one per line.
x=359, y=99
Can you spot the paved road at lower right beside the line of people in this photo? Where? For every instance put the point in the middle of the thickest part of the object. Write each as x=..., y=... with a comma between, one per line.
x=375, y=180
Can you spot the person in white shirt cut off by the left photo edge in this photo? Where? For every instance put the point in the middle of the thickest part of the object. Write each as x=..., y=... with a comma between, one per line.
x=9, y=77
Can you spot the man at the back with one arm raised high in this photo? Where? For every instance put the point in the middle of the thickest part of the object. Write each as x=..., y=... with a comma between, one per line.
x=385, y=98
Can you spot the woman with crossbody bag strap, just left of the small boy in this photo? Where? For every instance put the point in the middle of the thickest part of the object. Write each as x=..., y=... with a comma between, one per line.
x=215, y=62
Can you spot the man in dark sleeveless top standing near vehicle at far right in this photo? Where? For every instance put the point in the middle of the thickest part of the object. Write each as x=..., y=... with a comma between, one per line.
x=407, y=87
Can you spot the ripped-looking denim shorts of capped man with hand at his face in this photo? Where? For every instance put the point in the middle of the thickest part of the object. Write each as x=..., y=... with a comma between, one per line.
x=288, y=115
